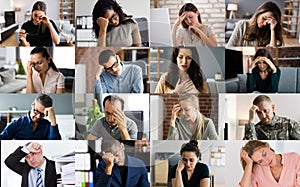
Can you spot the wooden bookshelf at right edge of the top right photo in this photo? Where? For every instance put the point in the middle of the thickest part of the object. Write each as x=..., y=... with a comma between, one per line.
x=291, y=17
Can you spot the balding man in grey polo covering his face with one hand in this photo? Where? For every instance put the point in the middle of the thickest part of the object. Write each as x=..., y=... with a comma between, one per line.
x=115, y=125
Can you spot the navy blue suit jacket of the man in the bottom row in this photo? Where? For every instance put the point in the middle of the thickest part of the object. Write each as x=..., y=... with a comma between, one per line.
x=136, y=175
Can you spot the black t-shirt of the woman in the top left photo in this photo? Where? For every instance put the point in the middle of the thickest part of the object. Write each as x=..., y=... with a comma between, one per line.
x=36, y=36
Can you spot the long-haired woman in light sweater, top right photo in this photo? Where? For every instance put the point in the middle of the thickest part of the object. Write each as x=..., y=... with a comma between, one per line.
x=263, y=29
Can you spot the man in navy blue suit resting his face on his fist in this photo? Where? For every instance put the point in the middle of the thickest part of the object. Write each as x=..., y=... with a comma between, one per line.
x=118, y=168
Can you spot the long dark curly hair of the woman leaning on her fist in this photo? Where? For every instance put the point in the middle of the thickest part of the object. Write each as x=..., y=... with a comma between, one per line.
x=100, y=9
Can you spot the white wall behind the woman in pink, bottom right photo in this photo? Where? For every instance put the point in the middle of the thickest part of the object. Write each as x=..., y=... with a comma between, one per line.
x=233, y=171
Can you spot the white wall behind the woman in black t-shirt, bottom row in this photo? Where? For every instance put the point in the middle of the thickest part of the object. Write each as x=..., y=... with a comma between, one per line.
x=159, y=146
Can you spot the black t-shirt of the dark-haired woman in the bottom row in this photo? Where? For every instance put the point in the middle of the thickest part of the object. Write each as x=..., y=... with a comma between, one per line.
x=201, y=171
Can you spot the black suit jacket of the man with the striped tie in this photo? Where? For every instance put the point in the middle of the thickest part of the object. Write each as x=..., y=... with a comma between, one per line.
x=23, y=169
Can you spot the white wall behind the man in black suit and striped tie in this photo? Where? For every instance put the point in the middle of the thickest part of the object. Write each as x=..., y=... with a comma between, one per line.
x=50, y=149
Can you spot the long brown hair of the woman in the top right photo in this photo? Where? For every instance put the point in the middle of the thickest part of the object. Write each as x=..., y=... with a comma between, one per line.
x=262, y=35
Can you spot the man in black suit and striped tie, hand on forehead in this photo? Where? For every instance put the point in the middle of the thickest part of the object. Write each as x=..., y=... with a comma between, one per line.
x=36, y=171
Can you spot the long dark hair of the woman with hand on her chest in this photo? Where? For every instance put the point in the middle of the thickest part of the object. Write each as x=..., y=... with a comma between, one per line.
x=194, y=70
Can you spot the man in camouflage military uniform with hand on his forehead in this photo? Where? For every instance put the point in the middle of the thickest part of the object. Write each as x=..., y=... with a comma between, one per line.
x=271, y=126
